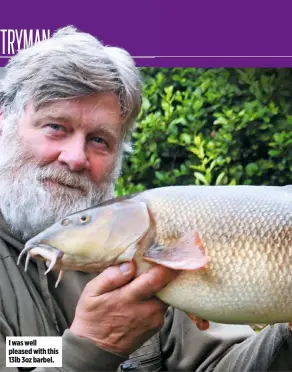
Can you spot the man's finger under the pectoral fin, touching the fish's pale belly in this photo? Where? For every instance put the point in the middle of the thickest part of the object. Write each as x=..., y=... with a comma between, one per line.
x=148, y=284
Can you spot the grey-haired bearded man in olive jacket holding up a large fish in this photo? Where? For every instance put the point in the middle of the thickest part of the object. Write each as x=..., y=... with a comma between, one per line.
x=68, y=106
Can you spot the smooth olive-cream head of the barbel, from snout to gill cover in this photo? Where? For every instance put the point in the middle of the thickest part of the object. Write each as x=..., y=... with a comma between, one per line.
x=93, y=239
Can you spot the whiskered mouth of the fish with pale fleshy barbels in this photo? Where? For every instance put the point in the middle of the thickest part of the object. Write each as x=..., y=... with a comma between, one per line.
x=43, y=252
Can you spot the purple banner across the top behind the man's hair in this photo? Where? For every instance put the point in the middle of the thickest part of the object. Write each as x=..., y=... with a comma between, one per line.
x=163, y=33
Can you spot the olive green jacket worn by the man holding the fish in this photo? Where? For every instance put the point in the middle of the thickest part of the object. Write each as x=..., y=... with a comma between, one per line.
x=31, y=306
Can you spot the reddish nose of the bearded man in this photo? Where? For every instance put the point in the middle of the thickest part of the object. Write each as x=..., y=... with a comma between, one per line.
x=74, y=155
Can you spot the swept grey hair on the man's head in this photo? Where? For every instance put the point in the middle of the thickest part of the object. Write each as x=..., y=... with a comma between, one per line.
x=69, y=65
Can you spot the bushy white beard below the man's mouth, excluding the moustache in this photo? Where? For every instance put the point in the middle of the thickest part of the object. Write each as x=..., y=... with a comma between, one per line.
x=29, y=208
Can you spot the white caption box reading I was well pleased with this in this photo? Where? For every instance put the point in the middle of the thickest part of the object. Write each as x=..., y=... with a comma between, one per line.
x=33, y=351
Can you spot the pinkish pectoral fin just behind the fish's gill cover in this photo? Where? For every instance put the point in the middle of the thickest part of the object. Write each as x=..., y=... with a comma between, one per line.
x=187, y=253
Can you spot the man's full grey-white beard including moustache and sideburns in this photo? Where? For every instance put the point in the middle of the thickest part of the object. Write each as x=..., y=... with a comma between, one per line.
x=28, y=207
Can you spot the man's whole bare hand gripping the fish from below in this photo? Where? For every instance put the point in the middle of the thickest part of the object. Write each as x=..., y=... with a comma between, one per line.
x=120, y=314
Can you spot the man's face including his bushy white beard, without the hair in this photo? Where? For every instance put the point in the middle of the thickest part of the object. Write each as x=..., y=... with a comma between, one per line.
x=59, y=159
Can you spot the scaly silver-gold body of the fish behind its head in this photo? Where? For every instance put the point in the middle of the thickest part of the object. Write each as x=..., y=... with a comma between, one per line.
x=248, y=235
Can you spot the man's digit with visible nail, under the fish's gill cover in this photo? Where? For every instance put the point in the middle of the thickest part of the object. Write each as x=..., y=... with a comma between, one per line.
x=110, y=279
